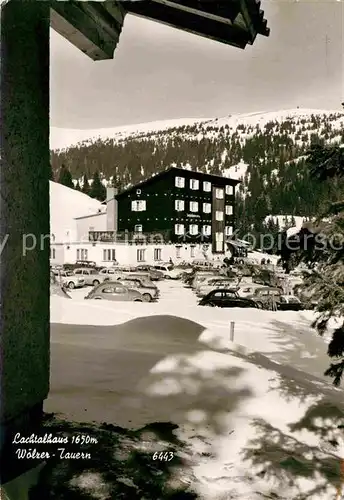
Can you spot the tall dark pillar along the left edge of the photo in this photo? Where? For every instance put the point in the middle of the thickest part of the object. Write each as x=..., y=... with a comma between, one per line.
x=24, y=216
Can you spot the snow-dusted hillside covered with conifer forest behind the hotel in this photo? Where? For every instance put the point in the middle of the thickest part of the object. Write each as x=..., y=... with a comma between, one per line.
x=277, y=179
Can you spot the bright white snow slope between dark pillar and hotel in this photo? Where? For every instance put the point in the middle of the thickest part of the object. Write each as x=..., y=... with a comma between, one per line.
x=65, y=205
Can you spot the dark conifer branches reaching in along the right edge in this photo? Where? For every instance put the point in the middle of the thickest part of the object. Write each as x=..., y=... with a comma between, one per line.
x=325, y=280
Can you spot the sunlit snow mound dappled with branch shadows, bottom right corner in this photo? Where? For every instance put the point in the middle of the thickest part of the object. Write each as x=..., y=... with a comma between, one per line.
x=247, y=445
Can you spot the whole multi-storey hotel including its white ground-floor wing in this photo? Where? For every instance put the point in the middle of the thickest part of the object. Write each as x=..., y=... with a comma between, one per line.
x=178, y=213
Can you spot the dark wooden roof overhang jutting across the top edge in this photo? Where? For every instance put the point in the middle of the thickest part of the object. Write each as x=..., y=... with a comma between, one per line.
x=95, y=27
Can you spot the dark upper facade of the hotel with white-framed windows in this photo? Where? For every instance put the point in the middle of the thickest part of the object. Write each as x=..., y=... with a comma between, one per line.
x=181, y=206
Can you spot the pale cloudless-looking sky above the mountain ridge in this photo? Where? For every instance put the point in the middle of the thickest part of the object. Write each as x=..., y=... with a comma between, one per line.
x=161, y=73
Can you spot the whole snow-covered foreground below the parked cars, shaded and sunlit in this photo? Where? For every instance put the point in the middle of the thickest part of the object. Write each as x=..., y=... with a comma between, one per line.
x=257, y=425
